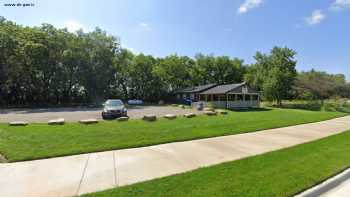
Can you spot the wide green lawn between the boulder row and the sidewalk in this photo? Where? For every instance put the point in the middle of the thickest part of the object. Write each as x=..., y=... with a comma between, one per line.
x=37, y=141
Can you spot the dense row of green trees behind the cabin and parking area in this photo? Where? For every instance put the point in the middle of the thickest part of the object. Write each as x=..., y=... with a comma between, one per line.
x=50, y=66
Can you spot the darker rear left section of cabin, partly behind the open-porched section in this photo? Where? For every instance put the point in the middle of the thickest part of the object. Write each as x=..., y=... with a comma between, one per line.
x=192, y=93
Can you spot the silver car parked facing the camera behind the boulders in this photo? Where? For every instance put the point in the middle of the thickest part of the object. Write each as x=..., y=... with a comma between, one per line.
x=113, y=108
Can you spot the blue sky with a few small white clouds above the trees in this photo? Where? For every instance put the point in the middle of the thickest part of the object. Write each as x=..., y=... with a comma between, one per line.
x=318, y=30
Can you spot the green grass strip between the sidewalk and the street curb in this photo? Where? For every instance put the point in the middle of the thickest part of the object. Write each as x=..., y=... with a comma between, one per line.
x=280, y=173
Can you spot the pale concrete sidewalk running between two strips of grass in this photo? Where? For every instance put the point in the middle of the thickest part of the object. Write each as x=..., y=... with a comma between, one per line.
x=79, y=174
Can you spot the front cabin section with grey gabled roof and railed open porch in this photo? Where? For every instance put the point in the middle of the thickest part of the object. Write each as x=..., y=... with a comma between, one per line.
x=231, y=96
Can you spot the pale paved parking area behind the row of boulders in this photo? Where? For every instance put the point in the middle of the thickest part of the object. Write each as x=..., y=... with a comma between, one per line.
x=76, y=114
